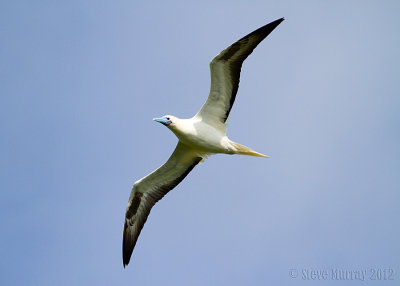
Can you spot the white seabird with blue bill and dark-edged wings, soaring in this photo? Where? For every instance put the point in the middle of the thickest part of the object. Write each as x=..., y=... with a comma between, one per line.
x=199, y=137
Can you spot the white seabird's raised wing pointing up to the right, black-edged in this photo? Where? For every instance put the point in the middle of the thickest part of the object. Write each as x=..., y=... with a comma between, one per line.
x=225, y=74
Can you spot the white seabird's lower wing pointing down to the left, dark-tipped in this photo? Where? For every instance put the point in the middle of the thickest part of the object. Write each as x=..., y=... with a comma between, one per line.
x=150, y=189
